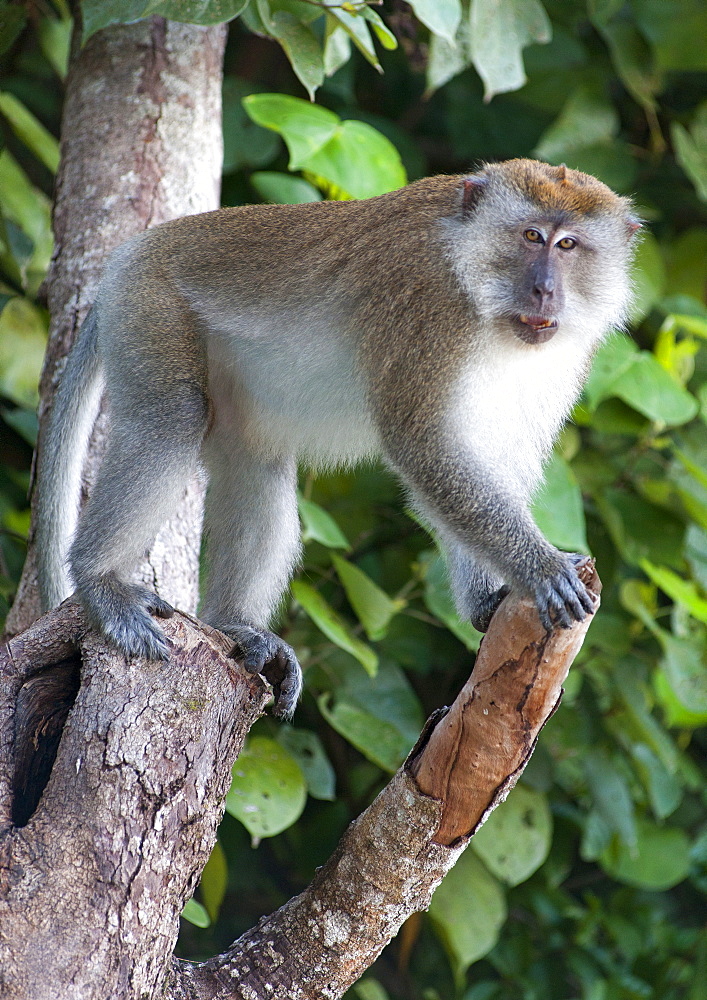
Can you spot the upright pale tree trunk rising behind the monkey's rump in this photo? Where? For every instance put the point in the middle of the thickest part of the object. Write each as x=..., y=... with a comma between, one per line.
x=141, y=144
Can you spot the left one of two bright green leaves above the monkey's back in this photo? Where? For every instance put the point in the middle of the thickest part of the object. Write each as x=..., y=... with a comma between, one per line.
x=305, y=127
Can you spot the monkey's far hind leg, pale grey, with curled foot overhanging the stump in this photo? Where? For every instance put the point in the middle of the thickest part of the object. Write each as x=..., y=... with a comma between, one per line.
x=252, y=531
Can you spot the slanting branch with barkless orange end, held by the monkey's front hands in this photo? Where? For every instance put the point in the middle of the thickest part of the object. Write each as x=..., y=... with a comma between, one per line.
x=394, y=856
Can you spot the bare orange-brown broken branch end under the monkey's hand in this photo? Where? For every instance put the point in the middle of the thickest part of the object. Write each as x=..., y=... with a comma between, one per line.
x=475, y=754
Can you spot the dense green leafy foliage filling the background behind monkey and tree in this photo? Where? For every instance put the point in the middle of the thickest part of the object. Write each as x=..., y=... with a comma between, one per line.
x=590, y=881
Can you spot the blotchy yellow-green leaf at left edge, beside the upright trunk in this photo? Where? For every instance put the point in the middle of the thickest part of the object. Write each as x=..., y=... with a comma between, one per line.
x=23, y=337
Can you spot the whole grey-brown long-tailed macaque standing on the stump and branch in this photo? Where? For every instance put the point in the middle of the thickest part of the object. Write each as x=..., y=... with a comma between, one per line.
x=447, y=326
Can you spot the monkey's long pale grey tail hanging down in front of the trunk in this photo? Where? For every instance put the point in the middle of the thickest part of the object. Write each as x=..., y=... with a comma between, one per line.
x=60, y=462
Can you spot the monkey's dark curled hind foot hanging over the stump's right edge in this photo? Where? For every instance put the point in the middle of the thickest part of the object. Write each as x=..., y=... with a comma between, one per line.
x=264, y=653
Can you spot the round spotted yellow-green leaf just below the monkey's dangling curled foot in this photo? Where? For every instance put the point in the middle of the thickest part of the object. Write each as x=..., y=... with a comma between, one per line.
x=268, y=791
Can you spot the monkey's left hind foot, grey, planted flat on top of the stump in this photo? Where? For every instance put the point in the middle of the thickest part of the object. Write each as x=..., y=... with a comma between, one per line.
x=122, y=613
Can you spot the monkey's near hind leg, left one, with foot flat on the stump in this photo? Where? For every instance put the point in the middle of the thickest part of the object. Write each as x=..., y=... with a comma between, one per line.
x=152, y=449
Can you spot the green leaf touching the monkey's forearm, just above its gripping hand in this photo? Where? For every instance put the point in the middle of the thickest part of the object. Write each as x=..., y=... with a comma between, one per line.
x=558, y=508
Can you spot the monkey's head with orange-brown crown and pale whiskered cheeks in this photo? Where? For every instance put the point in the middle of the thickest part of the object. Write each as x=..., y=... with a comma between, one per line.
x=544, y=250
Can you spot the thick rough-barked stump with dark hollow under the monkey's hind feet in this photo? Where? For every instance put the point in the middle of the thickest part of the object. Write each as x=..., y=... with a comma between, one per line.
x=91, y=888
